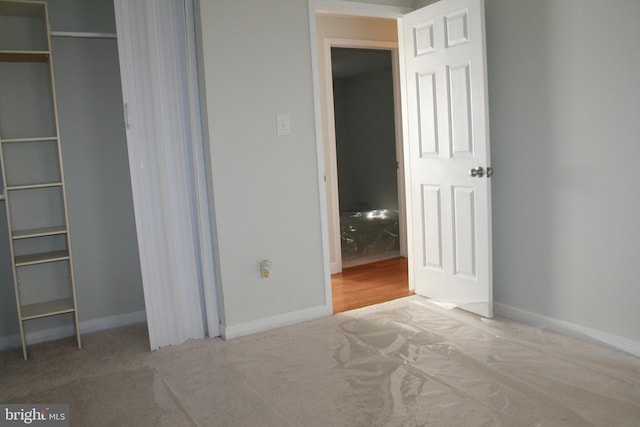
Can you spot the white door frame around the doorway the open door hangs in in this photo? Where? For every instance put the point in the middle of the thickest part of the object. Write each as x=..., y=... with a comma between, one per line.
x=358, y=9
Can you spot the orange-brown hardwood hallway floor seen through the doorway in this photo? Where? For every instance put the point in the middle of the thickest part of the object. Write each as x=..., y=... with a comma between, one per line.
x=370, y=284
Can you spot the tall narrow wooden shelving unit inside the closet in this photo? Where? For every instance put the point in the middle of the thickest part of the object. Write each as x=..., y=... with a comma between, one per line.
x=32, y=174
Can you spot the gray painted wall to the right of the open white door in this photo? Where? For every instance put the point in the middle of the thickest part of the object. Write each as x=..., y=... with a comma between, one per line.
x=563, y=100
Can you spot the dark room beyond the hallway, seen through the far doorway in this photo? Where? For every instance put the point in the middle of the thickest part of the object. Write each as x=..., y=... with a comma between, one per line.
x=363, y=102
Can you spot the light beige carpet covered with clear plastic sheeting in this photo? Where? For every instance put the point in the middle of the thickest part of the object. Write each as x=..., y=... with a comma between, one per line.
x=402, y=363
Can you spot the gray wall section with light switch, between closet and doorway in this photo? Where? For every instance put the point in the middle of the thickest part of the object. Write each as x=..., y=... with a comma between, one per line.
x=257, y=64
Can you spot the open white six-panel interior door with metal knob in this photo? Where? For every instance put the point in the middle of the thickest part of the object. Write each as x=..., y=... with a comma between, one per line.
x=447, y=131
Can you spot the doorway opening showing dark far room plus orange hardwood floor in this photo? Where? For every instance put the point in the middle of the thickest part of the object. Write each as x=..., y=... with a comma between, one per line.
x=370, y=189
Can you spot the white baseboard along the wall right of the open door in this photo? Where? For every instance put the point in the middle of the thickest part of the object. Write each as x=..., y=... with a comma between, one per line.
x=567, y=328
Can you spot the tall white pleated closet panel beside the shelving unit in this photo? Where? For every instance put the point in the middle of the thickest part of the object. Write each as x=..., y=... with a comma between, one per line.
x=156, y=42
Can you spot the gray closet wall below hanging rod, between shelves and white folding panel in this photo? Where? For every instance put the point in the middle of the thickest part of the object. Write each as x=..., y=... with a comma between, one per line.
x=107, y=264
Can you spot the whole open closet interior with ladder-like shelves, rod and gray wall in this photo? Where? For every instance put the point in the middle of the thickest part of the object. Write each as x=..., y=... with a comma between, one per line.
x=78, y=107
